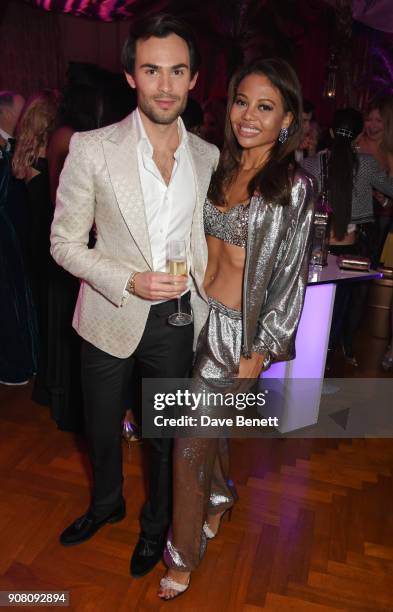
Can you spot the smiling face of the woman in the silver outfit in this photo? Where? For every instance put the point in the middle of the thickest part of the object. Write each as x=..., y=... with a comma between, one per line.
x=257, y=114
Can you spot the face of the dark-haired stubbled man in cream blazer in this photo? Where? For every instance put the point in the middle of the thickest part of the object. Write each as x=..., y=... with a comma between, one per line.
x=162, y=77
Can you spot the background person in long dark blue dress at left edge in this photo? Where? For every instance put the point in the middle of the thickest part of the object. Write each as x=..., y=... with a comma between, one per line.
x=18, y=326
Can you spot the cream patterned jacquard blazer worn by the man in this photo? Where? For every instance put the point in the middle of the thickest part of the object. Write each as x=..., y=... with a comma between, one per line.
x=100, y=185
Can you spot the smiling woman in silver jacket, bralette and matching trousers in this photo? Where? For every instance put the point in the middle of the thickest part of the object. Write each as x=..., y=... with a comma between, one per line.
x=258, y=217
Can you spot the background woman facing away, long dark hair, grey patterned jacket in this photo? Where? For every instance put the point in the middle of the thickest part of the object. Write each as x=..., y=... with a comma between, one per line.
x=348, y=179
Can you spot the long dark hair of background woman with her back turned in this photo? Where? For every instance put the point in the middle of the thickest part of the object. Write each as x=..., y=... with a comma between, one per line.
x=342, y=168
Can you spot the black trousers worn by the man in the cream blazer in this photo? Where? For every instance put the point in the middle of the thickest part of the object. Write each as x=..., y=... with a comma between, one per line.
x=163, y=352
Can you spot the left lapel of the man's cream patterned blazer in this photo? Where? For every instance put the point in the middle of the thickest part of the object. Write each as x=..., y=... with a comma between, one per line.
x=122, y=163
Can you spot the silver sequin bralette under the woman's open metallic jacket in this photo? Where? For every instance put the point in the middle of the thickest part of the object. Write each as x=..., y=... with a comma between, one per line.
x=230, y=225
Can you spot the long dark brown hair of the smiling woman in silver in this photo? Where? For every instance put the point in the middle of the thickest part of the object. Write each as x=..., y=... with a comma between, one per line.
x=274, y=179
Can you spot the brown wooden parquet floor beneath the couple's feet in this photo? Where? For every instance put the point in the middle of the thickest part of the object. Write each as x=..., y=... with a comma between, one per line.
x=312, y=531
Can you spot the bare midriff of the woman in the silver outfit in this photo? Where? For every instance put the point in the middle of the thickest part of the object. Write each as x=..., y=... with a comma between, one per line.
x=224, y=272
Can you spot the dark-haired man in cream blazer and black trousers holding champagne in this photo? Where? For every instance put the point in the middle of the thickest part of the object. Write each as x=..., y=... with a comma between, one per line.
x=142, y=182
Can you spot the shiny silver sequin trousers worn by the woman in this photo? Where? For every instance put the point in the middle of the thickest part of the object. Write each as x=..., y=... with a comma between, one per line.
x=201, y=484
